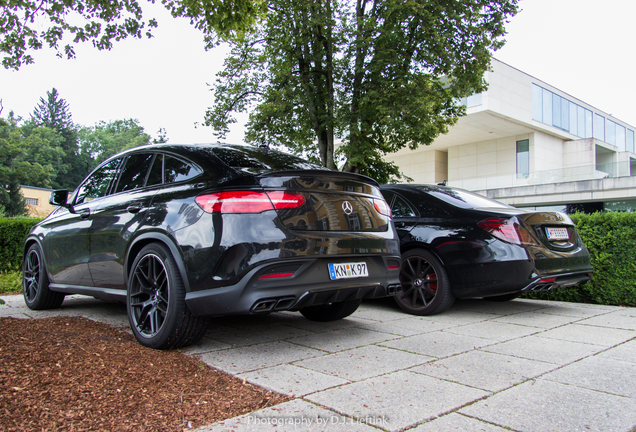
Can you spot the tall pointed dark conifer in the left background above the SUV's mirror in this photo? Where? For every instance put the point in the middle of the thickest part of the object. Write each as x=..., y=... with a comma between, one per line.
x=54, y=112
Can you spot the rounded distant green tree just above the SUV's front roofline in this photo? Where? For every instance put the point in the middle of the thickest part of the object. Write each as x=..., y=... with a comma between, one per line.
x=103, y=140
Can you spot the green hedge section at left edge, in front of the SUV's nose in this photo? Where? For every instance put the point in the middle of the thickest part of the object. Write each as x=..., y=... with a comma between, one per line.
x=13, y=231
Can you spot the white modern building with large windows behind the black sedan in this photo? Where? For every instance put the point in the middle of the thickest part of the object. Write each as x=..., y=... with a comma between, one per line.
x=528, y=144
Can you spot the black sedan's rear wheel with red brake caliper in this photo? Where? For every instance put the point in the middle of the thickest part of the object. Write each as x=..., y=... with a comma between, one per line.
x=425, y=286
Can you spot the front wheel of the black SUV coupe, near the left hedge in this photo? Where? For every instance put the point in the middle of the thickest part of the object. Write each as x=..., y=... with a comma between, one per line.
x=35, y=282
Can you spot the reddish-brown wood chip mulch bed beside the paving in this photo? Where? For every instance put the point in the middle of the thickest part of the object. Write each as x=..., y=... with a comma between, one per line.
x=74, y=374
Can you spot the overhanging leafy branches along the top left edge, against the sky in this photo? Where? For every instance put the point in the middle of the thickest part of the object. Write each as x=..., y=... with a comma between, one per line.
x=29, y=25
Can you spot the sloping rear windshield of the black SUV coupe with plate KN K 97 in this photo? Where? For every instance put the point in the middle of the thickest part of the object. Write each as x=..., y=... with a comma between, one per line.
x=257, y=160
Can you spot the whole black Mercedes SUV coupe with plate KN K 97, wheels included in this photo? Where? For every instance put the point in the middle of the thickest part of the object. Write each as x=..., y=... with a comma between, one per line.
x=183, y=232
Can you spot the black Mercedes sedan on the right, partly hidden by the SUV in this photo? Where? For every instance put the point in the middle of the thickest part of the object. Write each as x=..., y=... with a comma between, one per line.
x=457, y=244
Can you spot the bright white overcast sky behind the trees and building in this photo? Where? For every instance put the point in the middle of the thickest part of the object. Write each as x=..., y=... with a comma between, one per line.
x=582, y=47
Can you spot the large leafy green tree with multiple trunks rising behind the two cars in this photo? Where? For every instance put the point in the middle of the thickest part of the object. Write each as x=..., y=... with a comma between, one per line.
x=377, y=75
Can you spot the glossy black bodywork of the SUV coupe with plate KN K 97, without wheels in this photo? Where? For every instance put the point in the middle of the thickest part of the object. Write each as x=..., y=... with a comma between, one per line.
x=89, y=244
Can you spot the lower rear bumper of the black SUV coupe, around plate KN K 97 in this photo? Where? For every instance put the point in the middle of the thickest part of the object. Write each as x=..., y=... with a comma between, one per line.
x=309, y=284
